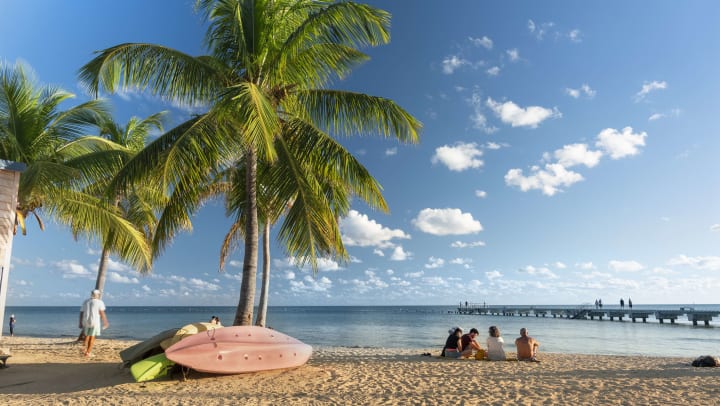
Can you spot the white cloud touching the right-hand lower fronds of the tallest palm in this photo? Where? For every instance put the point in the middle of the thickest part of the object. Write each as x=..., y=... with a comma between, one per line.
x=358, y=230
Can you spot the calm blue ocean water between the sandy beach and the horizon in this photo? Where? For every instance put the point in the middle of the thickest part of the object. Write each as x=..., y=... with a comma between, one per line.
x=421, y=327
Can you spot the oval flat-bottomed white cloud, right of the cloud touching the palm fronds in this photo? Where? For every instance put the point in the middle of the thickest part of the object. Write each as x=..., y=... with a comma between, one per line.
x=446, y=222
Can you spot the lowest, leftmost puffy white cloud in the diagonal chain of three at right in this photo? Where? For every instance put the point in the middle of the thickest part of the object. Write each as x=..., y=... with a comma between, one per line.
x=548, y=180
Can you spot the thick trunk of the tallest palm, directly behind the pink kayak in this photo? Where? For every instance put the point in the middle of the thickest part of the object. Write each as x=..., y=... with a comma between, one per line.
x=243, y=315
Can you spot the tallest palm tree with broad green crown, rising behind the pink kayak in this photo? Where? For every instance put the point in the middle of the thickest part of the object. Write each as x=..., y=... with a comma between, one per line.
x=265, y=85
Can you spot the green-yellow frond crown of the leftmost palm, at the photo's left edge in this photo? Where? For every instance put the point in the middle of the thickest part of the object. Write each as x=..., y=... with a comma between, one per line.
x=33, y=130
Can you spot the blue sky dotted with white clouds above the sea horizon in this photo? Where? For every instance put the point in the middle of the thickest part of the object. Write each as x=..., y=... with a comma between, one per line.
x=569, y=152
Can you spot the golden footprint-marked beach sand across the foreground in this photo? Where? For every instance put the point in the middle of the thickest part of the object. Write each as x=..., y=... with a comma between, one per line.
x=52, y=371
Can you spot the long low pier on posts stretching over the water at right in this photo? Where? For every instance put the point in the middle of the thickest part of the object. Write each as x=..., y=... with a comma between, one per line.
x=591, y=313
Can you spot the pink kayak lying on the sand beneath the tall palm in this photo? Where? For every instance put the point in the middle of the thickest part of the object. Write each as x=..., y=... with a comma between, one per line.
x=238, y=349
